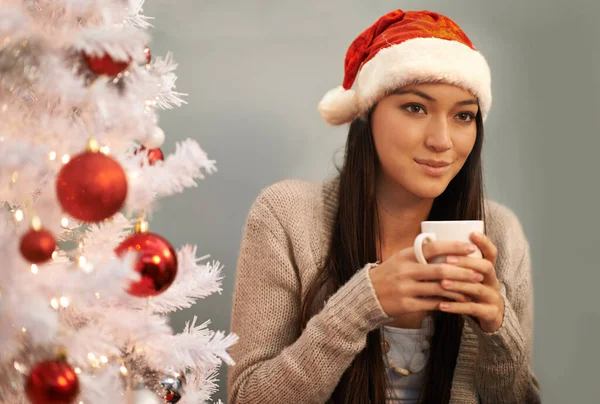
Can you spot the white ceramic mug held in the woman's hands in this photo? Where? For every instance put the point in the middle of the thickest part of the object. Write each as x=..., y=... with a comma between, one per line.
x=459, y=230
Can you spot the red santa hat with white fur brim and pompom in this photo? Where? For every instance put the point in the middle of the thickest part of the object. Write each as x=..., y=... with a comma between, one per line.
x=404, y=48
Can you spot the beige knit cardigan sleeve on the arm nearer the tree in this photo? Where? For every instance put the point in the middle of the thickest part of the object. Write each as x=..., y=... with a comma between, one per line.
x=275, y=361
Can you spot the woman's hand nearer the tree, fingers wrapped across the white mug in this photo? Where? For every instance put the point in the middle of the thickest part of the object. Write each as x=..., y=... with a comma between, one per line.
x=404, y=286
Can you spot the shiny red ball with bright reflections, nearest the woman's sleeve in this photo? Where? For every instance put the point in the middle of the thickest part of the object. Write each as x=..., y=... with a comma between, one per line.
x=157, y=263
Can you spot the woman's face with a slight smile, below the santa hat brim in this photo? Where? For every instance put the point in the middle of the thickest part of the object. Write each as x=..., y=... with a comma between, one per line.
x=423, y=135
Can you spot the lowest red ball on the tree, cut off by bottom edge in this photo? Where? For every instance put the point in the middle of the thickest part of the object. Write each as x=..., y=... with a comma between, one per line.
x=52, y=382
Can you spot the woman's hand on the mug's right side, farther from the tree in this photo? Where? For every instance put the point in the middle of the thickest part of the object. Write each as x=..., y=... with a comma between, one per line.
x=487, y=305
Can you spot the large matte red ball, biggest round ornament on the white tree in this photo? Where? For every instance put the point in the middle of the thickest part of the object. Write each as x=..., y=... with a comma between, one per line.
x=91, y=187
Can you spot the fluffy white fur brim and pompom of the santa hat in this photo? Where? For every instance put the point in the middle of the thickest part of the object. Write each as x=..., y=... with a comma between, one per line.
x=419, y=60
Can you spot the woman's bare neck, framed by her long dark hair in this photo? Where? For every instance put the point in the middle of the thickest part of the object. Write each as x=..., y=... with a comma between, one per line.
x=400, y=216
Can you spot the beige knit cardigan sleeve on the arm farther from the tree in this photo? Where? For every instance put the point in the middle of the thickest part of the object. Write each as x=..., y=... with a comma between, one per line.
x=503, y=371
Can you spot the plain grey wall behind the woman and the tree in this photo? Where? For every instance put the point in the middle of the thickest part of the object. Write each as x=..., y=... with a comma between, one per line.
x=255, y=70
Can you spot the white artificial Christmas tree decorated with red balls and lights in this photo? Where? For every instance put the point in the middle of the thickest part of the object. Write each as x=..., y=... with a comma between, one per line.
x=85, y=285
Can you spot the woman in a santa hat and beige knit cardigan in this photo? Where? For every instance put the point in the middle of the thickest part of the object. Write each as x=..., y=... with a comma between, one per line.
x=319, y=319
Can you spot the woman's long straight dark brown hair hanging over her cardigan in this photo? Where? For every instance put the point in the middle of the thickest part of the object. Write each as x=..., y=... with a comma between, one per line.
x=354, y=243
